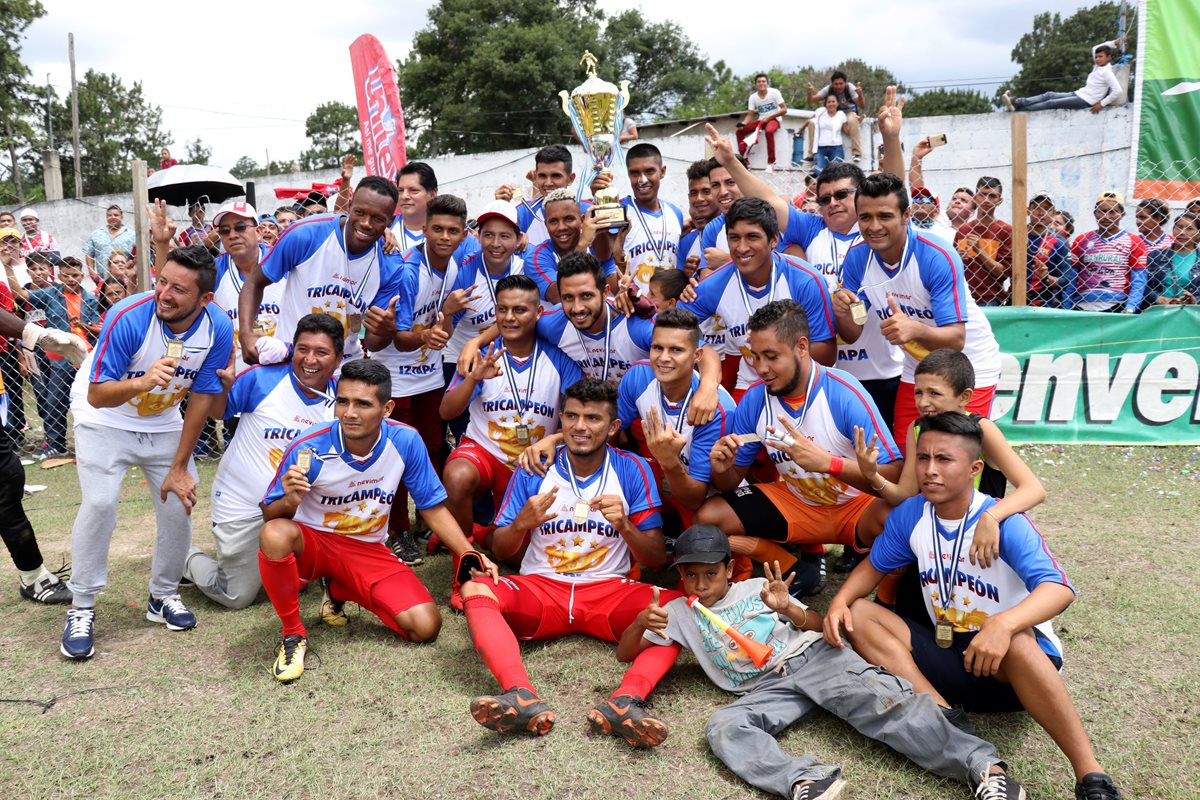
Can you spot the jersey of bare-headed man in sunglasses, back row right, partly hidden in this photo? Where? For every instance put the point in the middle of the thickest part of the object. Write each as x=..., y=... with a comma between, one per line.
x=872, y=358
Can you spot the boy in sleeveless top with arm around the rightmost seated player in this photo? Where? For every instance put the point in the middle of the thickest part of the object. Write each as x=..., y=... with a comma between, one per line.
x=945, y=382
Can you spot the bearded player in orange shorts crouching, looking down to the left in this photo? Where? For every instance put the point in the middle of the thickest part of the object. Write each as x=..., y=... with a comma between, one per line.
x=807, y=416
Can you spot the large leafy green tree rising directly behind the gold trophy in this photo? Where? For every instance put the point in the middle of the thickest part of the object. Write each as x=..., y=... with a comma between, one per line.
x=485, y=75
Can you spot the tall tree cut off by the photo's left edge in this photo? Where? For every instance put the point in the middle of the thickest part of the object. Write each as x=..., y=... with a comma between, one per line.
x=20, y=101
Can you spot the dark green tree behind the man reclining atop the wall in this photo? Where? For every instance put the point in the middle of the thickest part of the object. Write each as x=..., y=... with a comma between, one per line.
x=1057, y=55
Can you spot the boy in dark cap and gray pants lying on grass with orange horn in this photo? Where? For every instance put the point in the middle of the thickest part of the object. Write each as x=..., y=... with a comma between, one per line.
x=801, y=673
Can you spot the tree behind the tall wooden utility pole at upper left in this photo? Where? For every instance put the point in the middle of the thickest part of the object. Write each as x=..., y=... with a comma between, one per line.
x=117, y=124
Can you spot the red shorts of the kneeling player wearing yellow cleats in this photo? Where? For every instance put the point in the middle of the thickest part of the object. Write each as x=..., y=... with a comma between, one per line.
x=367, y=574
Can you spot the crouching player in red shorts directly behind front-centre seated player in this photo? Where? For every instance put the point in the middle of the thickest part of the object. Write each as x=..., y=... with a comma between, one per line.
x=514, y=395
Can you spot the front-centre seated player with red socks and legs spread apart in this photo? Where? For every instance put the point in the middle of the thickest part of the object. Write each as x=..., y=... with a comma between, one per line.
x=586, y=521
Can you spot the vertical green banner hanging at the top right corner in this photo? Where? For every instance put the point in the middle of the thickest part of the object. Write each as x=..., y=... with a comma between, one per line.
x=1168, y=98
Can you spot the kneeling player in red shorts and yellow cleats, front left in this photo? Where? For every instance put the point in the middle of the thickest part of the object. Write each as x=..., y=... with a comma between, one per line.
x=327, y=516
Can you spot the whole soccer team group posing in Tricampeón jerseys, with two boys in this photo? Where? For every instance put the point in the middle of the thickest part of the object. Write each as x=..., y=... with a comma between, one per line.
x=757, y=381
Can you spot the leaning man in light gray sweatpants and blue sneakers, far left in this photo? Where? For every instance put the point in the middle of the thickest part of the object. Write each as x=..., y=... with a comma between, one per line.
x=155, y=348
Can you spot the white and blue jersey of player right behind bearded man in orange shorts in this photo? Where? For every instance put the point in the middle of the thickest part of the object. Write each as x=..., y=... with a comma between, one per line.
x=724, y=296
